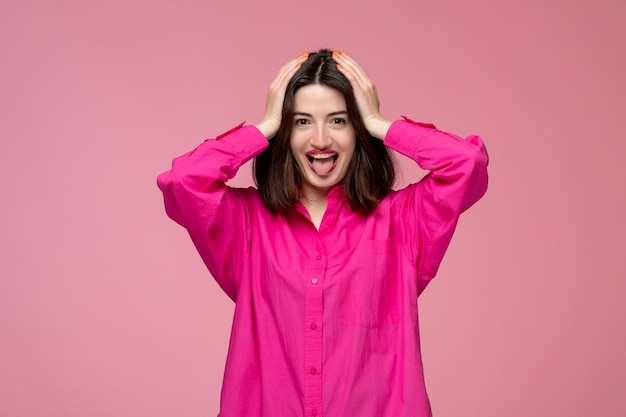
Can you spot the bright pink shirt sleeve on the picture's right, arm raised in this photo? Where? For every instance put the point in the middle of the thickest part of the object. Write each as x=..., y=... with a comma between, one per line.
x=427, y=212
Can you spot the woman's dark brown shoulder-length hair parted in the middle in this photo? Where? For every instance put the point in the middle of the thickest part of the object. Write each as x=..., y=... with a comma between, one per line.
x=371, y=173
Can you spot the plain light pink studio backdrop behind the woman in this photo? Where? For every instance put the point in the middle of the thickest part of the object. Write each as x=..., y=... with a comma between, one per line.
x=106, y=309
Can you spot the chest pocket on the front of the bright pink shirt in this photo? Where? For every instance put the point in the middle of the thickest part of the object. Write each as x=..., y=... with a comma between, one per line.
x=371, y=290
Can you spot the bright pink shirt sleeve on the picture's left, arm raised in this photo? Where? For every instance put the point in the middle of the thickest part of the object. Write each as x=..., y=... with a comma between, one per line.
x=216, y=216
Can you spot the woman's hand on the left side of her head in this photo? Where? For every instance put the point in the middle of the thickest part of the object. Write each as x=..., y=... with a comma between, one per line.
x=276, y=95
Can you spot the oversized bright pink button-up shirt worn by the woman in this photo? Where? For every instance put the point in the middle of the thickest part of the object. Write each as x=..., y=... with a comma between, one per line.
x=326, y=321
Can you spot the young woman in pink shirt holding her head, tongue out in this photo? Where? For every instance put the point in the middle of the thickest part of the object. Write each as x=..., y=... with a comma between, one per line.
x=324, y=260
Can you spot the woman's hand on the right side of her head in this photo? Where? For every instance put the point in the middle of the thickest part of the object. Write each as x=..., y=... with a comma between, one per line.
x=364, y=93
